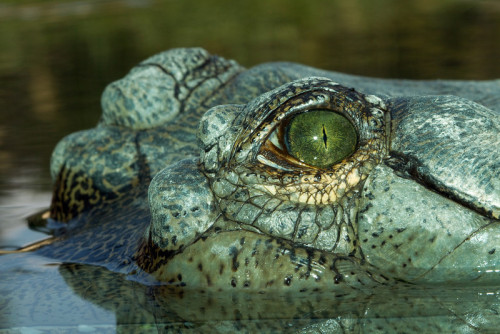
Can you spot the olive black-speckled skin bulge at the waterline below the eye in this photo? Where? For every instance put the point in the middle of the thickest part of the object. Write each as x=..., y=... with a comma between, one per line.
x=293, y=267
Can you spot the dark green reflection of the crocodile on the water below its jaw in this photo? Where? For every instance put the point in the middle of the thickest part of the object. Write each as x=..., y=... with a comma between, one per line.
x=406, y=309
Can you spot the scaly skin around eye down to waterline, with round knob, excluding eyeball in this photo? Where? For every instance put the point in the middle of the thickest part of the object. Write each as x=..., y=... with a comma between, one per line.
x=312, y=208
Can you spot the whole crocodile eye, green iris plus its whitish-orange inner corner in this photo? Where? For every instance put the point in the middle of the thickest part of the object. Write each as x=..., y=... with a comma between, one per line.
x=318, y=138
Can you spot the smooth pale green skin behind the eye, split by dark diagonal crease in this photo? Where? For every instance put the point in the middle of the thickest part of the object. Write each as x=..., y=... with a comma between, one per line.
x=449, y=242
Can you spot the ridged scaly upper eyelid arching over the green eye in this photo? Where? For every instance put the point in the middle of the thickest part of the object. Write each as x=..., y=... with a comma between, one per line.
x=258, y=130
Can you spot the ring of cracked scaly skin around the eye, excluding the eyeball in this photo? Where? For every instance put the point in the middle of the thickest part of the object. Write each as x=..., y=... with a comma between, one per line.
x=308, y=206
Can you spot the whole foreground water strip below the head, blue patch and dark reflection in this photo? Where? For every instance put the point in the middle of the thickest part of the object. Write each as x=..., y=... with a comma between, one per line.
x=75, y=297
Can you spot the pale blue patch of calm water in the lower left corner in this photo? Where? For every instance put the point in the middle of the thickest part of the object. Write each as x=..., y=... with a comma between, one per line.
x=34, y=296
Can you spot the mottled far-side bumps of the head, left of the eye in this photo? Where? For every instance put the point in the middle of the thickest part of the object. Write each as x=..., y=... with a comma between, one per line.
x=150, y=115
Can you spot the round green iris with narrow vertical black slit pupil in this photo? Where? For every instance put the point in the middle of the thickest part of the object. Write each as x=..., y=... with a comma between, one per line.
x=320, y=138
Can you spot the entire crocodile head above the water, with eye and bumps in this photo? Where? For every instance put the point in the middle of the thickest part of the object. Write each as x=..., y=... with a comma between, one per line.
x=296, y=182
